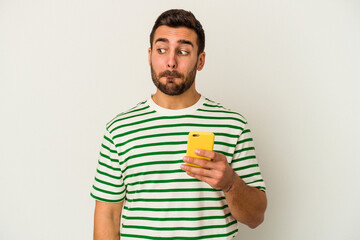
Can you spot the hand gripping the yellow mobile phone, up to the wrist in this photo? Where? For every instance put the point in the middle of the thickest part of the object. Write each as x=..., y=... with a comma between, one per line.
x=217, y=172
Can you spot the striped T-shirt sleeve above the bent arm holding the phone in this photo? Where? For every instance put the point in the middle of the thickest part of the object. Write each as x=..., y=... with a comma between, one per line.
x=244, y=161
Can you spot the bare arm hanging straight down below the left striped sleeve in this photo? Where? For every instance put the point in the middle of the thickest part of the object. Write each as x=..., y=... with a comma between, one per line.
x=107, y=220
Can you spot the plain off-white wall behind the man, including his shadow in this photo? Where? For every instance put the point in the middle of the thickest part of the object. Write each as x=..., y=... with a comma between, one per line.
x=291, y=67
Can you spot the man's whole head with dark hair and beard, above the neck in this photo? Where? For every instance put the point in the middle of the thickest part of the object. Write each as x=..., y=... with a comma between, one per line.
x=176, y=51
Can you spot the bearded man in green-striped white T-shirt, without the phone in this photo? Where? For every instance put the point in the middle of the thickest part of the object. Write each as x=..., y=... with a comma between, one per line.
x=143, y=182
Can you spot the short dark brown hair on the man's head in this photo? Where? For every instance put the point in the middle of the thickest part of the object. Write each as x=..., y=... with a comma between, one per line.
x=180, y=18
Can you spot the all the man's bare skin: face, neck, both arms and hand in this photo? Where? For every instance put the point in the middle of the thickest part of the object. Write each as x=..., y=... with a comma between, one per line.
x=175, y=49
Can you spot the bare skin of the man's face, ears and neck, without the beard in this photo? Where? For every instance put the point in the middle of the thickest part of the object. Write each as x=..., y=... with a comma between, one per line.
x=170, y=53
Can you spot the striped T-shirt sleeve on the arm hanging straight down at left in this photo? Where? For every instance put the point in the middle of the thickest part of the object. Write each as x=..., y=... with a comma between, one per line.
x=108, y=184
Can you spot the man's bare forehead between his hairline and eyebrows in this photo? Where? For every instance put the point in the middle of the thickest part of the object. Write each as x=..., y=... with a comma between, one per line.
x=175, y=34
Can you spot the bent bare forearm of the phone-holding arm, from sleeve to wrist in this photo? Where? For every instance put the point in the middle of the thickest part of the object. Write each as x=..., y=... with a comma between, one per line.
x=247, y=204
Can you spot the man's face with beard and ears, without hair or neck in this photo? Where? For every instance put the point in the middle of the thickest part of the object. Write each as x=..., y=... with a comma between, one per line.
x=173, y=59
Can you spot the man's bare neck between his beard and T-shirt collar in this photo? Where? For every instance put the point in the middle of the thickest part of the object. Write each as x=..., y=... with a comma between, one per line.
x=184, y=100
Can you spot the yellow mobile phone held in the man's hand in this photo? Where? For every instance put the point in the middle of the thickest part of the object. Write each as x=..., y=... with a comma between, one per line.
x=199, y=140
